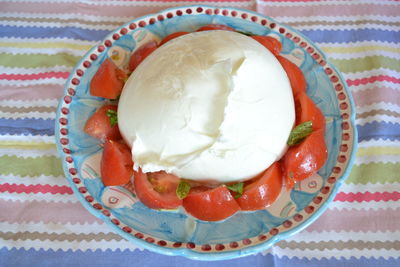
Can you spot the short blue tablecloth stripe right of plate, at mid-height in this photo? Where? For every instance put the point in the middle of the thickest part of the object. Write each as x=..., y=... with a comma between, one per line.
x=377, y=130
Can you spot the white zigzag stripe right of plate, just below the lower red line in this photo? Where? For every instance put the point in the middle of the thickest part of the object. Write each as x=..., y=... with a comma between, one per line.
x=363, y=206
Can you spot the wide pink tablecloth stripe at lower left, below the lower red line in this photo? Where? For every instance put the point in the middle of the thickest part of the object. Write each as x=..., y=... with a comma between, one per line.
x=46, y=212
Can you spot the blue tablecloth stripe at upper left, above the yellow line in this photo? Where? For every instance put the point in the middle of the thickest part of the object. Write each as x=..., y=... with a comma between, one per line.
x=46, y=32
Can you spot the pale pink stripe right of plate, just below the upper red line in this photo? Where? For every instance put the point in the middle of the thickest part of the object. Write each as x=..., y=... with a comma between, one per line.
x=376, y=94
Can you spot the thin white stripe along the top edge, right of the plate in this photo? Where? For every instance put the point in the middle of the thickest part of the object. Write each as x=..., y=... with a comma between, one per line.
x=325, y=3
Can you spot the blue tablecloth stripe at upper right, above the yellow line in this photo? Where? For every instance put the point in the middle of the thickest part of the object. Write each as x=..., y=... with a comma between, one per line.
x=345, y=36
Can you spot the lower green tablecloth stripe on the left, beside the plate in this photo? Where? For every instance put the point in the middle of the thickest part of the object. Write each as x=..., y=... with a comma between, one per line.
x=46, y=165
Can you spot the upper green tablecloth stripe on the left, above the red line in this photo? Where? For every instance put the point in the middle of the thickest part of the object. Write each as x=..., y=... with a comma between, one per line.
x=38, y=60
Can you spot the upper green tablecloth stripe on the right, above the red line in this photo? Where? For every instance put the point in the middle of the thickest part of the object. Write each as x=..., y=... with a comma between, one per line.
x=366, y=63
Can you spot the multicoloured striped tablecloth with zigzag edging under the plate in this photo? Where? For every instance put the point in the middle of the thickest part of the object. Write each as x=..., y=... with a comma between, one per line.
x=43, y=224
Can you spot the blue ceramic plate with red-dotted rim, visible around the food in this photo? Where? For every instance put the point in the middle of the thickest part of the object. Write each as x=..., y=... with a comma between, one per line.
x=173, y=232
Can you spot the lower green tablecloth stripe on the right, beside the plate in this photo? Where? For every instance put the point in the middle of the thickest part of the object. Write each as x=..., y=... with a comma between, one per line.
x=374, y=173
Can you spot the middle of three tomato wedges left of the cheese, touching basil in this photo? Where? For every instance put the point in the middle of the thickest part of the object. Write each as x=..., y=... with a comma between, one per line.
x=99, y=126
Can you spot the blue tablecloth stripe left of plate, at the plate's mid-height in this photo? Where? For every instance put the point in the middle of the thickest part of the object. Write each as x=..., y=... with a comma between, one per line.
x=27, y=126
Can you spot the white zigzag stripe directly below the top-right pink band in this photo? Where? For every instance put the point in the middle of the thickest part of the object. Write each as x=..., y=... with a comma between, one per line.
x=294, y=19
